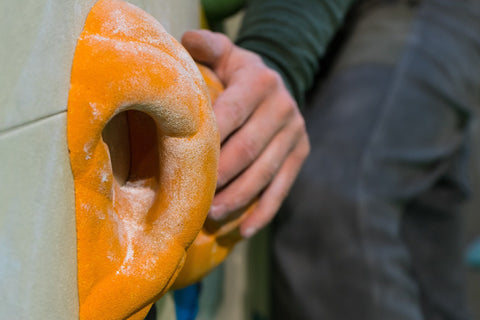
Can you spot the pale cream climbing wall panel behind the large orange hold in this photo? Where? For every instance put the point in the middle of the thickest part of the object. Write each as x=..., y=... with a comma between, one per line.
x=37, y=217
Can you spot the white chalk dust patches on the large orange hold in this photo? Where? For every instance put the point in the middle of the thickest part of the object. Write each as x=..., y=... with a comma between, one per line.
x=137, y=197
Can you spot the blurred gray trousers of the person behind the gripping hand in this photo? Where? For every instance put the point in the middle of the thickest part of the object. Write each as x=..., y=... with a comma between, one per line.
x=372, y=227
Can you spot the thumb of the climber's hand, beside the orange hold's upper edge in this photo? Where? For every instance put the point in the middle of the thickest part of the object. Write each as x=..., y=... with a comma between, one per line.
x=209, y=48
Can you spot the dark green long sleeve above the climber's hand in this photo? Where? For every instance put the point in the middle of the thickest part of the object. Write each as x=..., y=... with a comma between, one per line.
x=291, y=36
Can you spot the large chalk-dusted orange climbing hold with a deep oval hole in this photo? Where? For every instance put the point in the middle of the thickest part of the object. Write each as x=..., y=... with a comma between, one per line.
x=134, y=226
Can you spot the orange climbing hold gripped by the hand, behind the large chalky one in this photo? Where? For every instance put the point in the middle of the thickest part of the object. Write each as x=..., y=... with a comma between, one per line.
x=213, y=243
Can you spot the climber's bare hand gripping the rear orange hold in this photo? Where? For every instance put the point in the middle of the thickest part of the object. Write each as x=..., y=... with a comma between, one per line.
x=264, y=141
